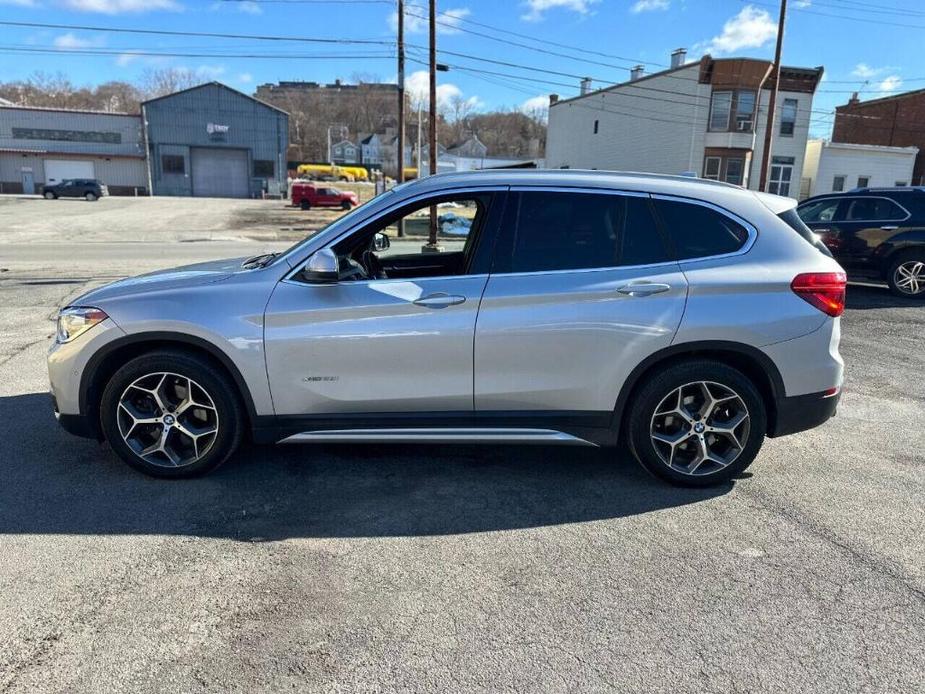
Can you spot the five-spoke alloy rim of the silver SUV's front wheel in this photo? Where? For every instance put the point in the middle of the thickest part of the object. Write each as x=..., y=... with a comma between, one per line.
x=167, y=419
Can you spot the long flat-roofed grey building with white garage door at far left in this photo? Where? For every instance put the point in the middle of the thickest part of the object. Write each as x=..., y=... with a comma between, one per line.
x=42, y=145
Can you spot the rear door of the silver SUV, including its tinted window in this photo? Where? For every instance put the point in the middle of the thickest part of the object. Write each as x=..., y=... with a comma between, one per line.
x=582, y=289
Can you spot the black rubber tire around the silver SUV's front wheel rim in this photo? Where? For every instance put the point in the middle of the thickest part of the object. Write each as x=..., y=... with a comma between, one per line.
x=218, y=387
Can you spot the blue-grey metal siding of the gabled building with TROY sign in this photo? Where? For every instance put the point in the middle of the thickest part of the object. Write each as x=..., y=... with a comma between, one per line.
x=183, y=120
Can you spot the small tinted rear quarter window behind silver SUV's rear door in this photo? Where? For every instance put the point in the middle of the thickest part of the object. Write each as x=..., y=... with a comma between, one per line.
x=697, y=231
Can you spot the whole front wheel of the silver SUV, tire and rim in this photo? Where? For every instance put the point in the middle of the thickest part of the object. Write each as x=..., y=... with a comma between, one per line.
x=169, y=414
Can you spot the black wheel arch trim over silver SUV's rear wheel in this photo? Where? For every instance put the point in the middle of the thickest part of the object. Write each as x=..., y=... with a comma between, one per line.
x=753, y=363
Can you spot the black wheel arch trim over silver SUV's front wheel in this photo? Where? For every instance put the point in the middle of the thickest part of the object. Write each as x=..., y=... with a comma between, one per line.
x=104, y=364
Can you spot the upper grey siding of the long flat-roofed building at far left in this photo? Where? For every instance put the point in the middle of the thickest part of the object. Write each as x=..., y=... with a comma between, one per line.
x=71, y=127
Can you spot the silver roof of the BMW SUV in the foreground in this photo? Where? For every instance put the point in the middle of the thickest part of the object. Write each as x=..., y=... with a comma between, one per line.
x=716, y=192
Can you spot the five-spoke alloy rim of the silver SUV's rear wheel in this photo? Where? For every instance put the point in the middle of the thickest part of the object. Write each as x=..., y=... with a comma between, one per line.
x=700, y=428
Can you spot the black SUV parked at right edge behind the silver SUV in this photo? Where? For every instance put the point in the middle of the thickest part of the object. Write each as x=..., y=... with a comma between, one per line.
x=875, y=233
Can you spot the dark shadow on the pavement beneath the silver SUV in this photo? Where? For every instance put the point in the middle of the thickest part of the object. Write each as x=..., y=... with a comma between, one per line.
x=55, y=483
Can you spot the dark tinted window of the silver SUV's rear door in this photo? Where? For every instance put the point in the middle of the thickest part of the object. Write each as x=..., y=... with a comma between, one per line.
x=573, y=231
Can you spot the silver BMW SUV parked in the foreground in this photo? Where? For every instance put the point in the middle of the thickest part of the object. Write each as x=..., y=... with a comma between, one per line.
x=689, y=318
